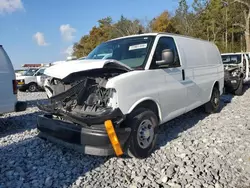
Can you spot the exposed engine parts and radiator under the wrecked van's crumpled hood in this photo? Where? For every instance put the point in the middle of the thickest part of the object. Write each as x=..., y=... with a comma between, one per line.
x=85, y=98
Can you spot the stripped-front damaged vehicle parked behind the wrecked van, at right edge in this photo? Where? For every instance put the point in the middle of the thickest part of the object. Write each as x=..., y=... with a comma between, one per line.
x=236, y=66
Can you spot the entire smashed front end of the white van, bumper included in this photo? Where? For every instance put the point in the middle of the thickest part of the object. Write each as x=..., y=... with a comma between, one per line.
x=78, y=107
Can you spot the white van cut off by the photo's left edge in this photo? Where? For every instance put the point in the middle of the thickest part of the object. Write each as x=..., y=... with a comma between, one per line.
x=8, y=91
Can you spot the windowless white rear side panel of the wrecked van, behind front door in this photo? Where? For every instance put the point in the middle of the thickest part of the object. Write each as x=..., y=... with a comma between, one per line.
x=203, y=66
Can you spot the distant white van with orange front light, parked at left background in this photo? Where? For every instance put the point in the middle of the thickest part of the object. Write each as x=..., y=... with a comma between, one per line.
x=32, y=79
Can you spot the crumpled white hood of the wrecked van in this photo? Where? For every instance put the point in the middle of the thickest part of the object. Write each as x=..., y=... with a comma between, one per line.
x=64, y=69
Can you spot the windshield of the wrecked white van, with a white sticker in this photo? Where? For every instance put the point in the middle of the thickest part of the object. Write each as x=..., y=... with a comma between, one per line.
x=132, y=51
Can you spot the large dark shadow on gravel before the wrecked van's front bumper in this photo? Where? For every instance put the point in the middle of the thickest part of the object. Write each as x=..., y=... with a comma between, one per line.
x=35, y=163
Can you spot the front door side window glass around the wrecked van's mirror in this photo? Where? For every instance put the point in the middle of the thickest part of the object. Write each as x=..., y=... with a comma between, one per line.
x=163, y=44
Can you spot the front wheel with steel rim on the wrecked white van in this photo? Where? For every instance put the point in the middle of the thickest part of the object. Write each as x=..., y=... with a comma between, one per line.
x=143, y=123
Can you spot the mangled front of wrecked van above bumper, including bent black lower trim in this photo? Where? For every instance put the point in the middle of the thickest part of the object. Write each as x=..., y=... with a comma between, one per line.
x=86, y=102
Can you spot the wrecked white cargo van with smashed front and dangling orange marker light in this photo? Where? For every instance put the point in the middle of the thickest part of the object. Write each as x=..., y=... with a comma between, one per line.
x=114, y=105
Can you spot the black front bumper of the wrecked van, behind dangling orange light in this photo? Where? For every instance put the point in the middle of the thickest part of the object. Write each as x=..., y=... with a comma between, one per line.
x=86, y=139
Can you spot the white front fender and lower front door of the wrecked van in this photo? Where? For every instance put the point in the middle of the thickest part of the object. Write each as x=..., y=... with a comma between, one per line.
x=157, y=85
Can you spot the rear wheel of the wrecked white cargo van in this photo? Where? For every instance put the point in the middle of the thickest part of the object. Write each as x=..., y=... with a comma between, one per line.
x=213, y=105
